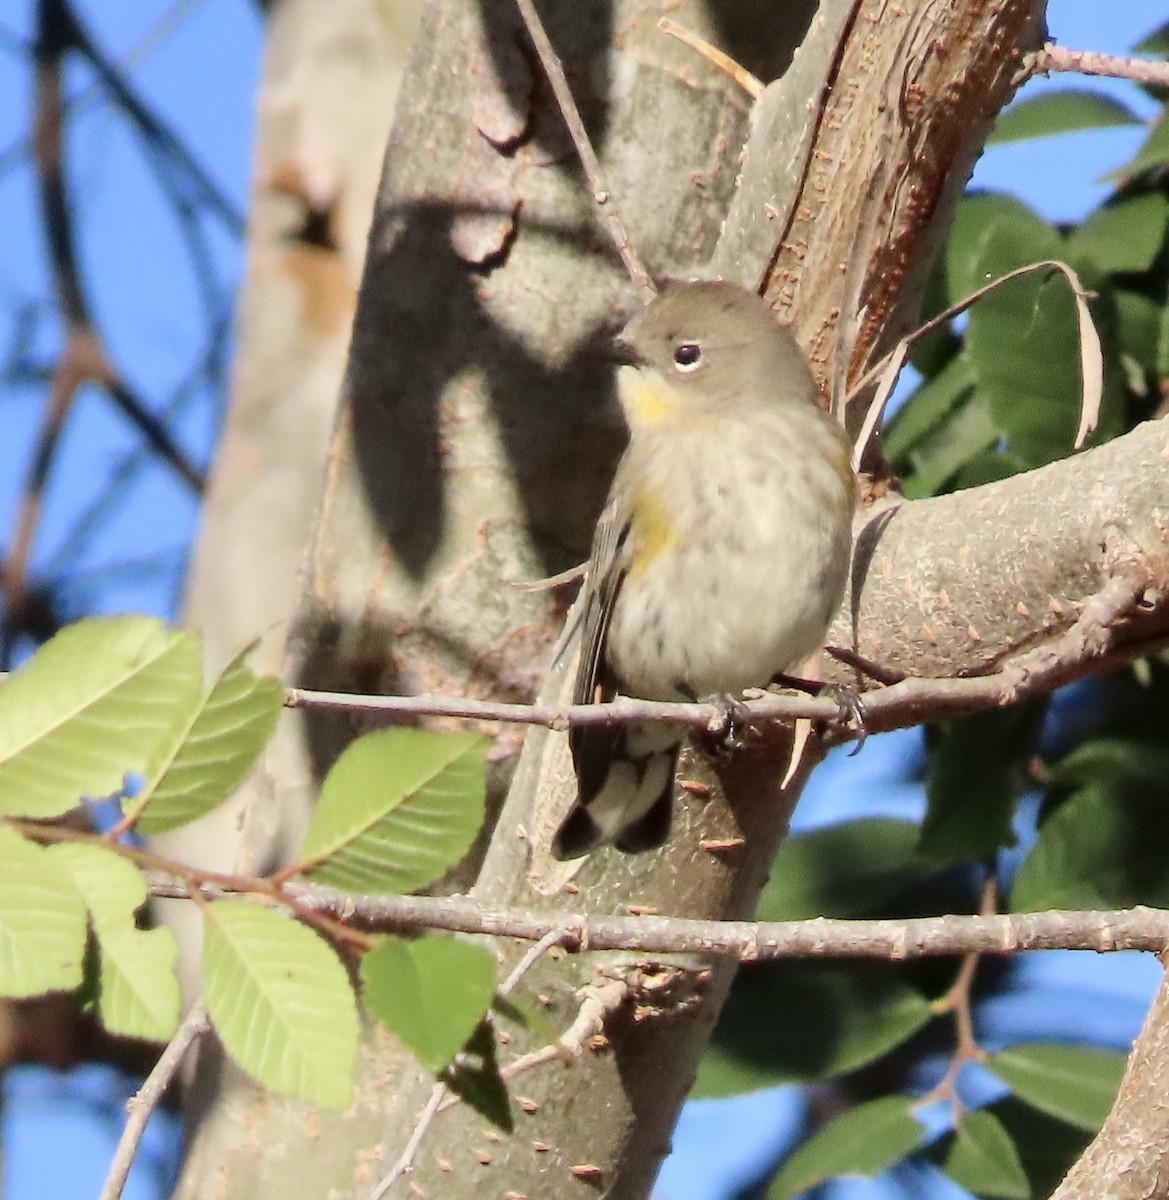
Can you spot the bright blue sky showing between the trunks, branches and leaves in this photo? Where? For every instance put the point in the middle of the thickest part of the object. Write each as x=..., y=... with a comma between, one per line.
x=201, y=75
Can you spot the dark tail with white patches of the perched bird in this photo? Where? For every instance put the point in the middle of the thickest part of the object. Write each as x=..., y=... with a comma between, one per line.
x=626, y=777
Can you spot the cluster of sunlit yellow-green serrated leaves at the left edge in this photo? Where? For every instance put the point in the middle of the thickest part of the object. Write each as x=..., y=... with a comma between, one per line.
x=115, y=715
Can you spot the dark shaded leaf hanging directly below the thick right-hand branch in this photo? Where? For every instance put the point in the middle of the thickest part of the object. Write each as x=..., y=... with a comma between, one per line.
x=979, y=769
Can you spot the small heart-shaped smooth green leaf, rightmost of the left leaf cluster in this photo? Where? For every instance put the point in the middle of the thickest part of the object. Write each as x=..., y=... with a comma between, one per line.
x=430, y=994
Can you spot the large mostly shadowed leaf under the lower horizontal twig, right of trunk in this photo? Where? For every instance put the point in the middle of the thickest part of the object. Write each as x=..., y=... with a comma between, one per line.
x=794, y=1022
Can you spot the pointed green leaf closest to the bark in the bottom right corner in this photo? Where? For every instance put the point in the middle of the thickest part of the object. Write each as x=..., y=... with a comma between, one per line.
x=1074, y=1084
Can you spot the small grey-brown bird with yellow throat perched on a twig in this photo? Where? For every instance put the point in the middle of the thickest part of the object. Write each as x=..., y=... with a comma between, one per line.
x=723, y=550
